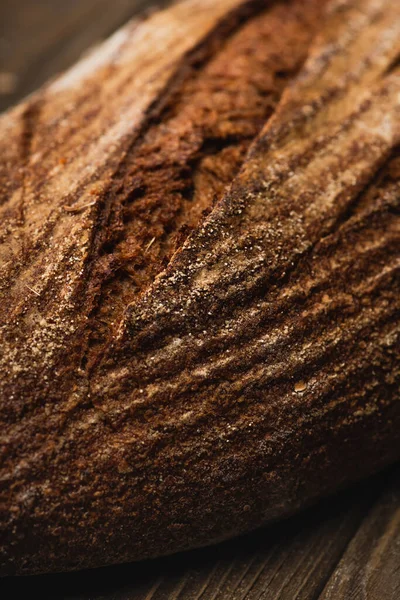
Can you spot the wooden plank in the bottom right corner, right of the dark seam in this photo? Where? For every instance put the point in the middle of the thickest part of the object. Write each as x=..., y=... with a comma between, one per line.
x=370, y=568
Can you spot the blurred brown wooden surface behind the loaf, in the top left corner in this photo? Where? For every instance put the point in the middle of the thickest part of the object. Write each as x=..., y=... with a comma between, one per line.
x=41, y=38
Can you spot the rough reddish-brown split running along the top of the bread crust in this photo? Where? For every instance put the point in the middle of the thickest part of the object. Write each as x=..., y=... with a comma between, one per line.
x=184, y=162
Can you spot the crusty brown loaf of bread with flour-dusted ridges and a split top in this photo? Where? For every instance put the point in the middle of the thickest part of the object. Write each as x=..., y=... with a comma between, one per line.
x=200, y=279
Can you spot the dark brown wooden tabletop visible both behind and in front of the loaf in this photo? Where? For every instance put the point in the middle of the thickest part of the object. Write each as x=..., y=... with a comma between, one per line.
x=346, y=547
